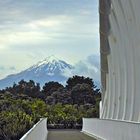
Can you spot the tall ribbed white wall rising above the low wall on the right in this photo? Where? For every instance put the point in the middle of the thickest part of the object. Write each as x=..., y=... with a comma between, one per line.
x=122, y=90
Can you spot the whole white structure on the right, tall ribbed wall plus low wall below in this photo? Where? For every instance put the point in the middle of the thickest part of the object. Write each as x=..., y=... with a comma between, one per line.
x=120, y=72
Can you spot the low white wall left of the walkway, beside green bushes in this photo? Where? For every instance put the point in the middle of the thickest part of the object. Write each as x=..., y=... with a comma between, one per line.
x=38, y=132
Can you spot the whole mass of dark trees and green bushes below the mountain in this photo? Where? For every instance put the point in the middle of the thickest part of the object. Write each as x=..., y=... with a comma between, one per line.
x=22, y=105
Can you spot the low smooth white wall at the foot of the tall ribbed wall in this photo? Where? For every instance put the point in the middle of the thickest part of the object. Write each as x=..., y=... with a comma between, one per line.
x=111, y=129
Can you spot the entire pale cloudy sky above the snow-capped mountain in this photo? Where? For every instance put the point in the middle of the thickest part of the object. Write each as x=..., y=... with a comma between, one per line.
x=31, y=30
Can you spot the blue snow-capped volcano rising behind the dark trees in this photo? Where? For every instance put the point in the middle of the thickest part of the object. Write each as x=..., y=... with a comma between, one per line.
x=50, y=69
